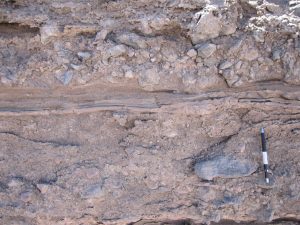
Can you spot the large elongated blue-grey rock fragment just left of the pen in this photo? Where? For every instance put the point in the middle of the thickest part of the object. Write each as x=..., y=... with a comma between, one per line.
x=224, y=167
